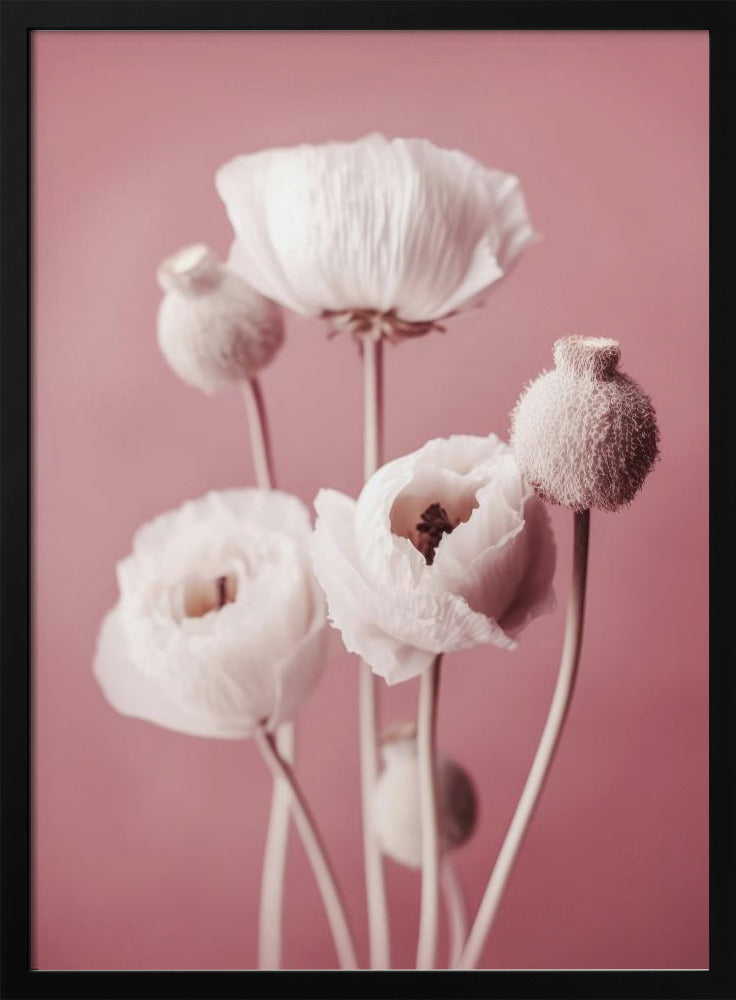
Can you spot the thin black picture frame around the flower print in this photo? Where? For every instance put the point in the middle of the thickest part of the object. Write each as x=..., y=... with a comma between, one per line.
x=18, y=20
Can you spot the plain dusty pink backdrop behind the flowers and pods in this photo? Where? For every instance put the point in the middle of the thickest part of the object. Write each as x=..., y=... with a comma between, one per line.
x=148, y=843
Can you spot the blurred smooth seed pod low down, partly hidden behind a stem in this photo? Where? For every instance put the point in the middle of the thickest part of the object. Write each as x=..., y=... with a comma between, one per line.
x=397, y=813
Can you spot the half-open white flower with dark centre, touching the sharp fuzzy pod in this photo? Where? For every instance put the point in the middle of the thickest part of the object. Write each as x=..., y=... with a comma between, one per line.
x=444, y=549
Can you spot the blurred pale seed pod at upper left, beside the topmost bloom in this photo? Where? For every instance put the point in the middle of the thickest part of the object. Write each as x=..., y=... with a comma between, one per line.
x=213, y=328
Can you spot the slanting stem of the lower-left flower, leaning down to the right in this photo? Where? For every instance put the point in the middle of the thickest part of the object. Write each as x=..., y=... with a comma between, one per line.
x=314, y=848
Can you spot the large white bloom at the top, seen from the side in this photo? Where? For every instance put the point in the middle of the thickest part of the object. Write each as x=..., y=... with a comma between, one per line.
x=399, y=228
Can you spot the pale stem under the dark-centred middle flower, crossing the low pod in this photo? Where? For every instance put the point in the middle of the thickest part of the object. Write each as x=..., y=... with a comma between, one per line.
x=427, y=753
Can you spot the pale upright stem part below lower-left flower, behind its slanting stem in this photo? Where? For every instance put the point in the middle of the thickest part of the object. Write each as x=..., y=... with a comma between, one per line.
x=270, y=920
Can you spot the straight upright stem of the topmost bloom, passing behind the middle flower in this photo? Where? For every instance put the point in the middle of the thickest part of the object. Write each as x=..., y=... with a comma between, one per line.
x=378, y=930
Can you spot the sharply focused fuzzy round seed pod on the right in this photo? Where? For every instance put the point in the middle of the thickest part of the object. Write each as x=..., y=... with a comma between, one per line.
x=585, y=434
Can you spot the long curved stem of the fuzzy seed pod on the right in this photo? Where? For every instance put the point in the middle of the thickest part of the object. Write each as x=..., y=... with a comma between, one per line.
x=545, y=751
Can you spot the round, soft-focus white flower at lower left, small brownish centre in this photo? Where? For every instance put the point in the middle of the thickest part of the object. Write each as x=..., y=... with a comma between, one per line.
x=220, y=623
